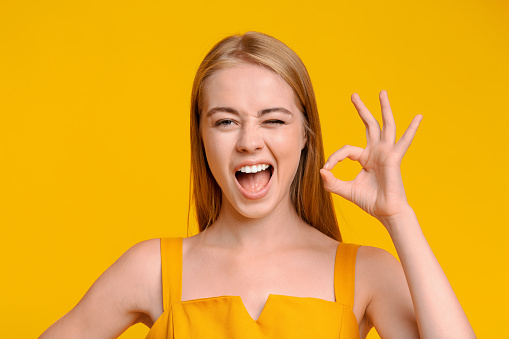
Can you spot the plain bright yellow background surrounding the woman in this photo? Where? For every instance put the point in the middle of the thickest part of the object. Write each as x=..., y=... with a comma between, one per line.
x=94, y=145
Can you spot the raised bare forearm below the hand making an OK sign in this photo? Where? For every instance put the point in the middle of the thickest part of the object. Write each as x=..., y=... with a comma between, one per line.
x=438, y=311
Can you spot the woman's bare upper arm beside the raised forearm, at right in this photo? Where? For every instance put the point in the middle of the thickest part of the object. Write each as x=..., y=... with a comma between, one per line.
x=389, y=309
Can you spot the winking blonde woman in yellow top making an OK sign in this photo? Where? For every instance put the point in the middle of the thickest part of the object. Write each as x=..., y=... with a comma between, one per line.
x=269, y=261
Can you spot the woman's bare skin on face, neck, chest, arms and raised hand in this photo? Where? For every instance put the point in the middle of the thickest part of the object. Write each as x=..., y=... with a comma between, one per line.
x=260, y=246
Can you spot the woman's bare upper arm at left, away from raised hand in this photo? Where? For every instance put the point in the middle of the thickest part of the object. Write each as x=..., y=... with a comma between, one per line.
x=126, y=293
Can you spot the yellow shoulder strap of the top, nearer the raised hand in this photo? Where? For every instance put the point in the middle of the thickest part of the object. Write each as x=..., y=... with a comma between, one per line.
x=344, y=273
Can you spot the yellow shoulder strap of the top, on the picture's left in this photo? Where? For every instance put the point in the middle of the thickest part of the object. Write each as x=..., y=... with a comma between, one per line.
x=171, y=269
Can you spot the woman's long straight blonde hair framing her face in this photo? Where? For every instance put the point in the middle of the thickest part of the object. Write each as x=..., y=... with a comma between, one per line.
x=312, y=202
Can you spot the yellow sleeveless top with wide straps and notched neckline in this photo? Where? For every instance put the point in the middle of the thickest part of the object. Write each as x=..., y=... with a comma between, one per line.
x=282, y=317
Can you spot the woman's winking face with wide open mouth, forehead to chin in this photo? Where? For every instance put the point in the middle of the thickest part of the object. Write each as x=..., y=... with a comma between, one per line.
x=253, y=134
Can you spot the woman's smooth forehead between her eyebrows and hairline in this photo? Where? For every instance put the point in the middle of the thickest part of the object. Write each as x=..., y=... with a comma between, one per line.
x=248, y=87
